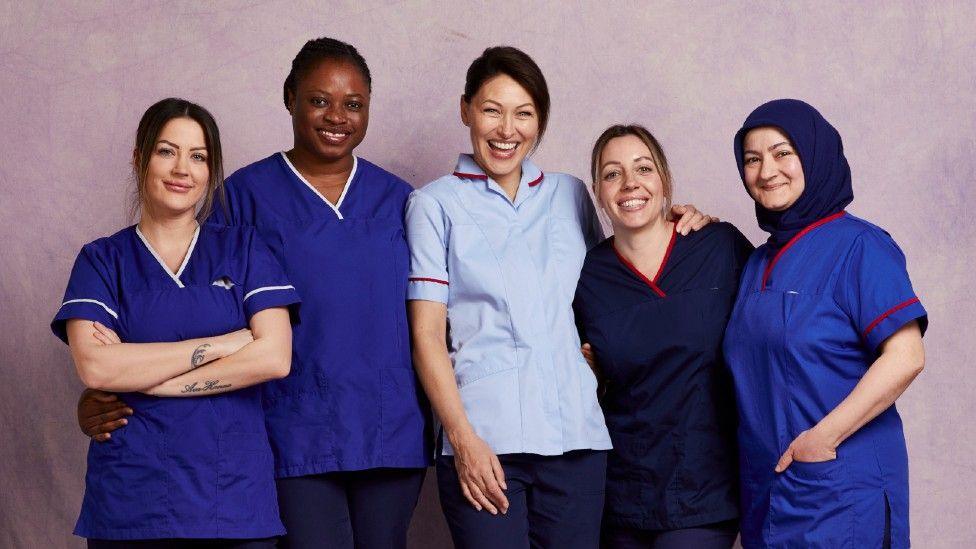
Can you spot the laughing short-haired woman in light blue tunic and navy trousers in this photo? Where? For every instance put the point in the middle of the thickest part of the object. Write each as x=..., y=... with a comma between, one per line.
x=496, y=250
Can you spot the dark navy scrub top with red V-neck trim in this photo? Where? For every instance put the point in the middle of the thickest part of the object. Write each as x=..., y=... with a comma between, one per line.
x=668, y=401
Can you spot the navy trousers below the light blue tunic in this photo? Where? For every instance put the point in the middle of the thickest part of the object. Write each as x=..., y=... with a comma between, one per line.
x=554, y=502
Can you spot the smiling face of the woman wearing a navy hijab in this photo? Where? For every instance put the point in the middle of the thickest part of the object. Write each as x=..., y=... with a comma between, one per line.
x=772, y=169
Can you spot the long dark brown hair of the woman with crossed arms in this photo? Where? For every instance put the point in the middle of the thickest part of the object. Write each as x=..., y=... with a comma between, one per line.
x=150, y=126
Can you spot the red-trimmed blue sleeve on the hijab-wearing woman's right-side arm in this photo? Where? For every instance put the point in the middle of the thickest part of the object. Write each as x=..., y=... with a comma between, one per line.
x=875, y=290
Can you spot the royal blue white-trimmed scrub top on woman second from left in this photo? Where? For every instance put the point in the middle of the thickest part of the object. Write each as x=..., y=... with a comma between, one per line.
x=352, y=400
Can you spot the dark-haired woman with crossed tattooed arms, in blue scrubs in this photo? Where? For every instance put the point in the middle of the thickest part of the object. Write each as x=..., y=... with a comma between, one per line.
x=159, y=312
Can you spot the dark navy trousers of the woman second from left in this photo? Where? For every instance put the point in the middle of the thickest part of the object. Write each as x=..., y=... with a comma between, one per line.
x=368, y=509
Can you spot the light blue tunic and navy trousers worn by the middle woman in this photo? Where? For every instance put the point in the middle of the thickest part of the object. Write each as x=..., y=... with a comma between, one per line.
x=507, y=271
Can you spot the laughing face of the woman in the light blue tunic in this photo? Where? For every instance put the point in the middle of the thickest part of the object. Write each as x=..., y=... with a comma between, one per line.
x=504, y=126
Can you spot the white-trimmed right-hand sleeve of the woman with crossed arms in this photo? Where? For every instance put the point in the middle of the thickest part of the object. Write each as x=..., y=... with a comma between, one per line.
x=265, y=283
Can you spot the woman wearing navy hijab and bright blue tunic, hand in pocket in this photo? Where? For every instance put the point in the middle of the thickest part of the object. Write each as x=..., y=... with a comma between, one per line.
x=825, y=335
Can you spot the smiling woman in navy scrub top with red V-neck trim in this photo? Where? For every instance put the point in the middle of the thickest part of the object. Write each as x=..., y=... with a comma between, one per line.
x=652, y=306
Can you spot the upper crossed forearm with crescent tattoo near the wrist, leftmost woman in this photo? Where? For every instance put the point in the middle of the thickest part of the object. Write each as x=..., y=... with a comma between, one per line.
x=136, y=366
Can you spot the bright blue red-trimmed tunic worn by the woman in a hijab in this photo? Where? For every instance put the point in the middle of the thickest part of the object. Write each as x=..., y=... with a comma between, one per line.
x=807, y=324
